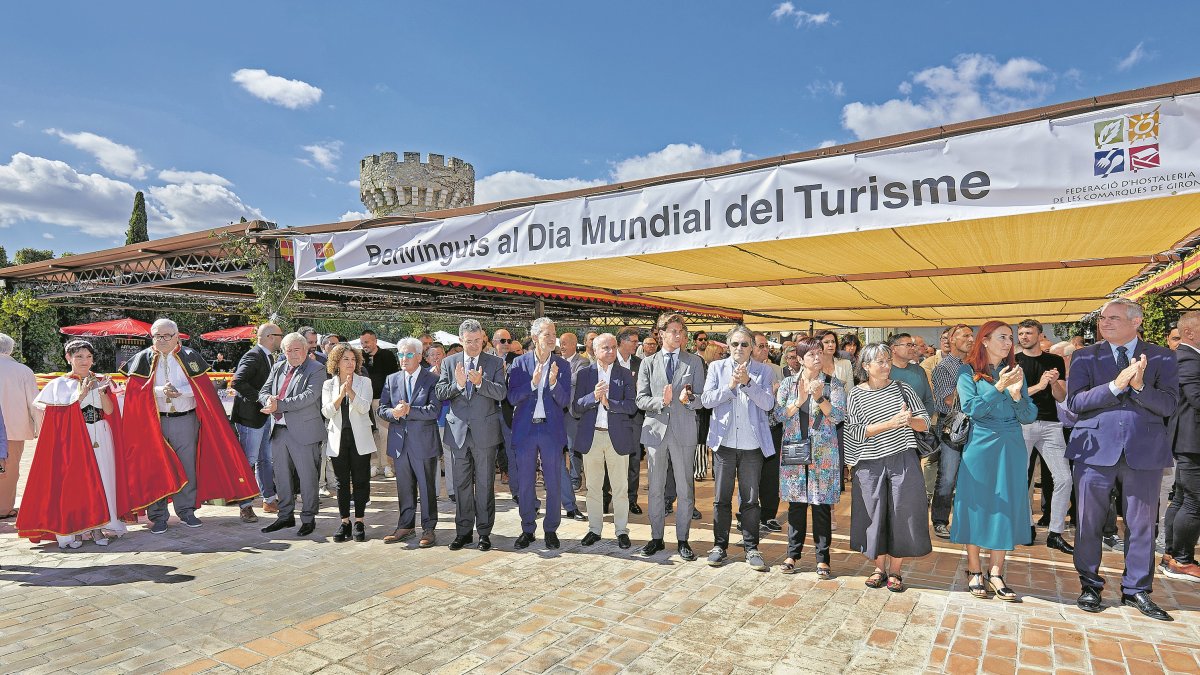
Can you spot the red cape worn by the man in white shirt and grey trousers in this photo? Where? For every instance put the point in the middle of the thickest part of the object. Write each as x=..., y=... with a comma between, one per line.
x=221, y=469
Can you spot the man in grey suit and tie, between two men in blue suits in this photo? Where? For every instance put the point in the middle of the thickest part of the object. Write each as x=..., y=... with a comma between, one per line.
x=475, y=384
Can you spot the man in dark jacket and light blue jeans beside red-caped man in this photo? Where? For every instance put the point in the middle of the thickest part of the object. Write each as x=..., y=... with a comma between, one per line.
x=253, y=426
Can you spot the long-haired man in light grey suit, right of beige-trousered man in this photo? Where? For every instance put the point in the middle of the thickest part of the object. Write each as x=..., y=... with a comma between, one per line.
x=669, y=387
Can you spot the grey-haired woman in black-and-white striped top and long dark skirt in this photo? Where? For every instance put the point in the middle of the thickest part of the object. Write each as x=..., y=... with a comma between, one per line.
x=890, y=511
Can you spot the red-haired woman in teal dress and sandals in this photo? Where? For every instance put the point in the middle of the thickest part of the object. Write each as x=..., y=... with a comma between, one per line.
x=992, y=509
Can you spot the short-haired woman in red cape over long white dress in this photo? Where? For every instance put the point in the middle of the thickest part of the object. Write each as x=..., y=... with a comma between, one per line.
x=83, y=475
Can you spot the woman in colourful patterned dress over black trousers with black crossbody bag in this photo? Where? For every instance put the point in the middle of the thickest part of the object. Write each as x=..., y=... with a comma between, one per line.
x=811, y=404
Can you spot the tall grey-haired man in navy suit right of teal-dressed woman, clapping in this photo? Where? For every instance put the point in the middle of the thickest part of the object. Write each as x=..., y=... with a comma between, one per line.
x=1121, y=390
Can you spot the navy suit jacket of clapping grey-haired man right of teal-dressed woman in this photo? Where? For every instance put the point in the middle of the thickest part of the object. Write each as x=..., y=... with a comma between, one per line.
x=1131, y=423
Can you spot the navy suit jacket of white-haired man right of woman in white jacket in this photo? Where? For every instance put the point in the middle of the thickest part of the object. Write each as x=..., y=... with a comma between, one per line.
x=416, y=434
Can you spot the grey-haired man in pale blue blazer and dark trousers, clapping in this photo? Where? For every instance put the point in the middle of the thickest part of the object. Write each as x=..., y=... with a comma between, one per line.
x=741, y=392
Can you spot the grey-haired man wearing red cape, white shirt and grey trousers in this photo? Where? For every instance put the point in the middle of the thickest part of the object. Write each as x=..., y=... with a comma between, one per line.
x=170, y=399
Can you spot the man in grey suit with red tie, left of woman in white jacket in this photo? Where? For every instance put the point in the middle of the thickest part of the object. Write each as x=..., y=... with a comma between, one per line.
x=292, y=396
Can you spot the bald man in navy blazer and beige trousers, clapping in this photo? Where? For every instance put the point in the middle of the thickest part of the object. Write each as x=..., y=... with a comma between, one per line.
x=605, y=398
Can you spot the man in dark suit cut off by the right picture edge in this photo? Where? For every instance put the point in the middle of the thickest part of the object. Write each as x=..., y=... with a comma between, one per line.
x=1183, y=522
